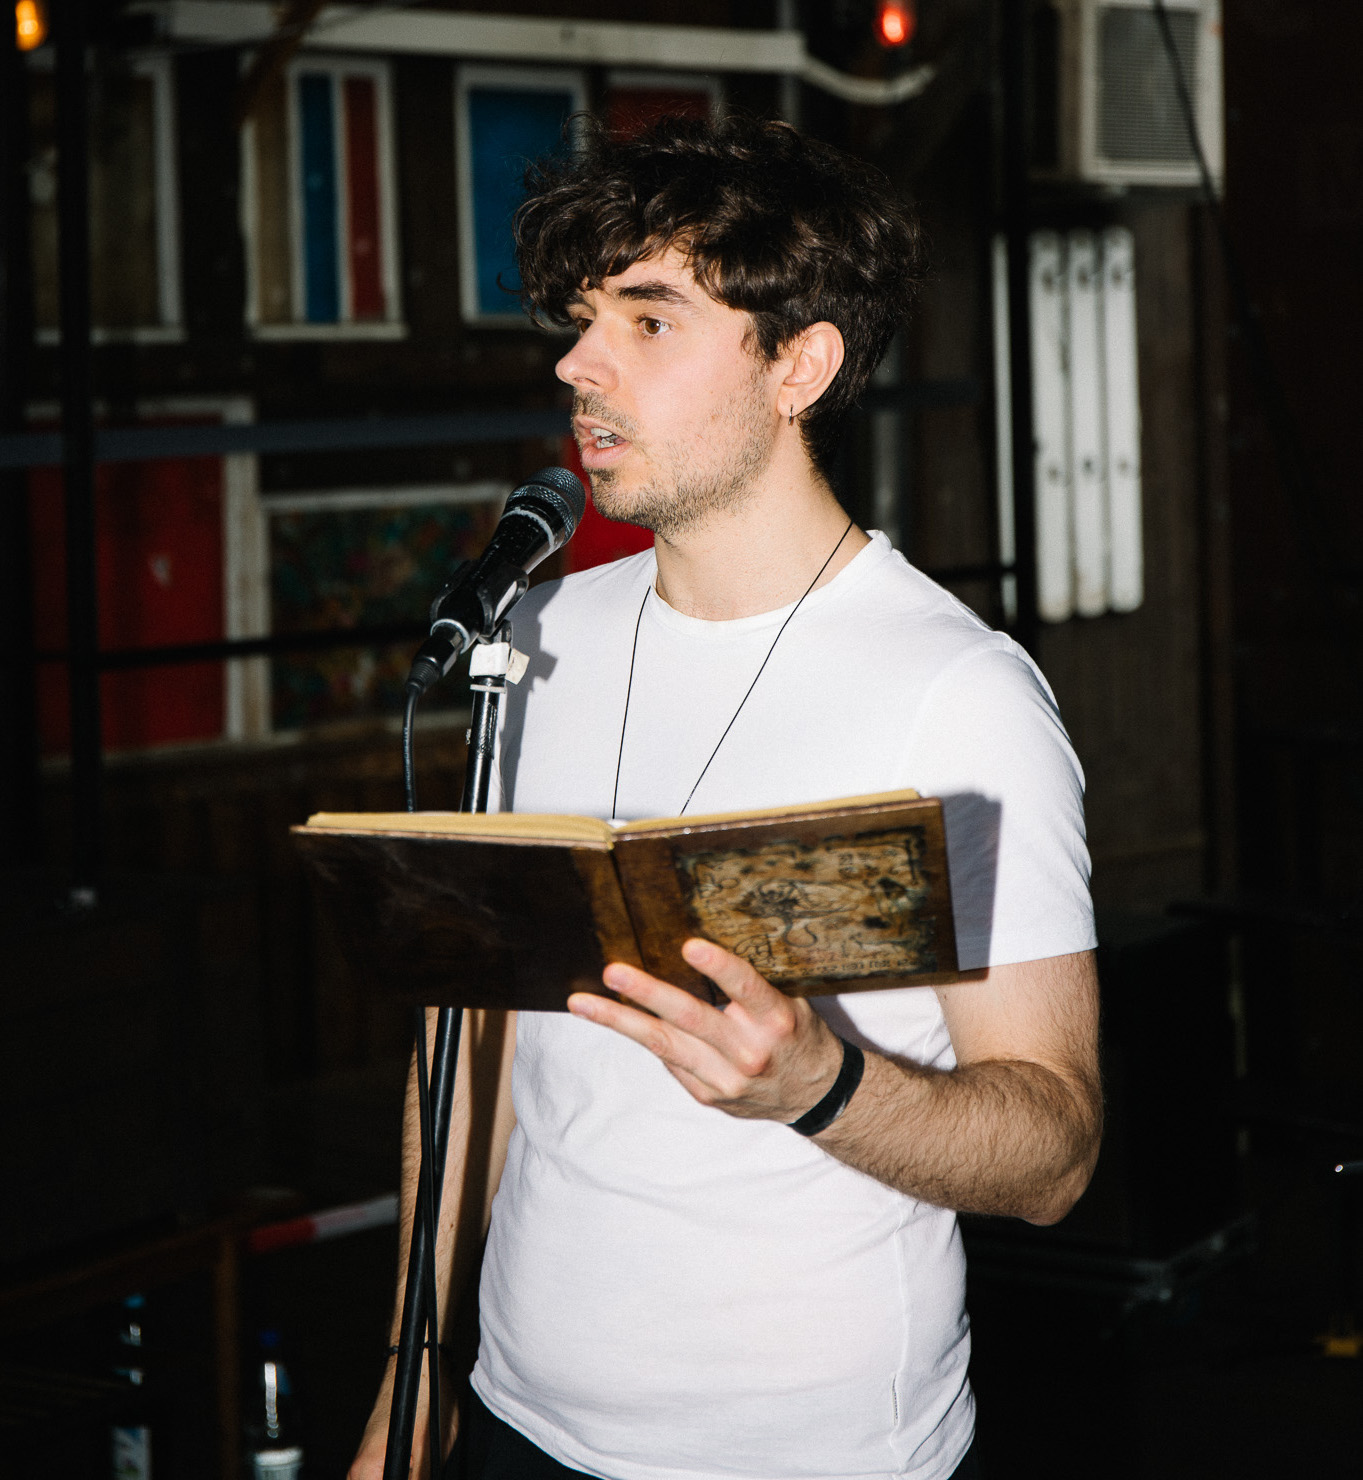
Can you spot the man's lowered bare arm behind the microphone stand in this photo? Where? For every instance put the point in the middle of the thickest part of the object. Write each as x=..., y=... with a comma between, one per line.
x=480, y=1127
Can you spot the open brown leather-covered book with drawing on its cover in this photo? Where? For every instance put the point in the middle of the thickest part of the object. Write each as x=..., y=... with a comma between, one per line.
x=522, y=909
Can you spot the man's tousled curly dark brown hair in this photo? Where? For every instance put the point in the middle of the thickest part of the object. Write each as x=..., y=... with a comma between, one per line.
x=784, y=227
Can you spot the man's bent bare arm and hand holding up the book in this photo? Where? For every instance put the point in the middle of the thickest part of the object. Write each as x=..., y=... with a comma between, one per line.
x=1013, y=1130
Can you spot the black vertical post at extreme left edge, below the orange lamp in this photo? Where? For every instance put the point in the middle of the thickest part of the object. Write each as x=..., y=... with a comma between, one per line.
x=20, y=790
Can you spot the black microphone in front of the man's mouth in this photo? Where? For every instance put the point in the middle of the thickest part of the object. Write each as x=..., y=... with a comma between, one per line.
x=539, y=519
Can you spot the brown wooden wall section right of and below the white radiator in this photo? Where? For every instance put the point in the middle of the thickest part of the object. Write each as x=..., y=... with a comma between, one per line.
x=1131, y=686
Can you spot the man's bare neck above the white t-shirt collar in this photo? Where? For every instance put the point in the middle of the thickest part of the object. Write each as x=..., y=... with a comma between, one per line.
x=758, y=557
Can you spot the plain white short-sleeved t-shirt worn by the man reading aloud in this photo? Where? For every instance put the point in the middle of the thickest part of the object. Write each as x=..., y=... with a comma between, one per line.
x=676, y=1294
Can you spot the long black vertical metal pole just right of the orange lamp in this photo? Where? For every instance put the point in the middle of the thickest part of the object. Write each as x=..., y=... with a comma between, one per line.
x=73, y=212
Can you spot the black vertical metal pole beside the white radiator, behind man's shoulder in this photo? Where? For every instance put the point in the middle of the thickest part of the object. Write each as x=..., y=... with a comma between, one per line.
x=1017, y=220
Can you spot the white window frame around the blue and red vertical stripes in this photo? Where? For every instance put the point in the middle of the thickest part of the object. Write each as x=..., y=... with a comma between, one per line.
x=391, y=328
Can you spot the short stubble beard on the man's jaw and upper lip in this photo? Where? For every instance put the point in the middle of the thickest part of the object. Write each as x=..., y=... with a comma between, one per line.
x=695, y=494
